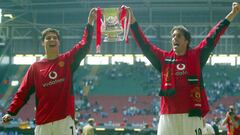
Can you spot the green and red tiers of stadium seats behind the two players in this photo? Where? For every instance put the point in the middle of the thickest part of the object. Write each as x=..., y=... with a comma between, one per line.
x=125, y=91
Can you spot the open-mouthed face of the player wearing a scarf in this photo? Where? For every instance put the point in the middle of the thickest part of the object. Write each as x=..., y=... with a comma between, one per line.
x=179, y=42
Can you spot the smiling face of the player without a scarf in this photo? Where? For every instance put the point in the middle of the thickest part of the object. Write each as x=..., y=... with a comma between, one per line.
x=51, y=42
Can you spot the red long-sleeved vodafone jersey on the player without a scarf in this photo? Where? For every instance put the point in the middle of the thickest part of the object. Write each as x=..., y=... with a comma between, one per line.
x=51, y=80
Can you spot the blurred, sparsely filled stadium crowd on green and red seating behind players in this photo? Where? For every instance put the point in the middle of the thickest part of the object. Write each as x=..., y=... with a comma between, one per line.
x=124, y=95
